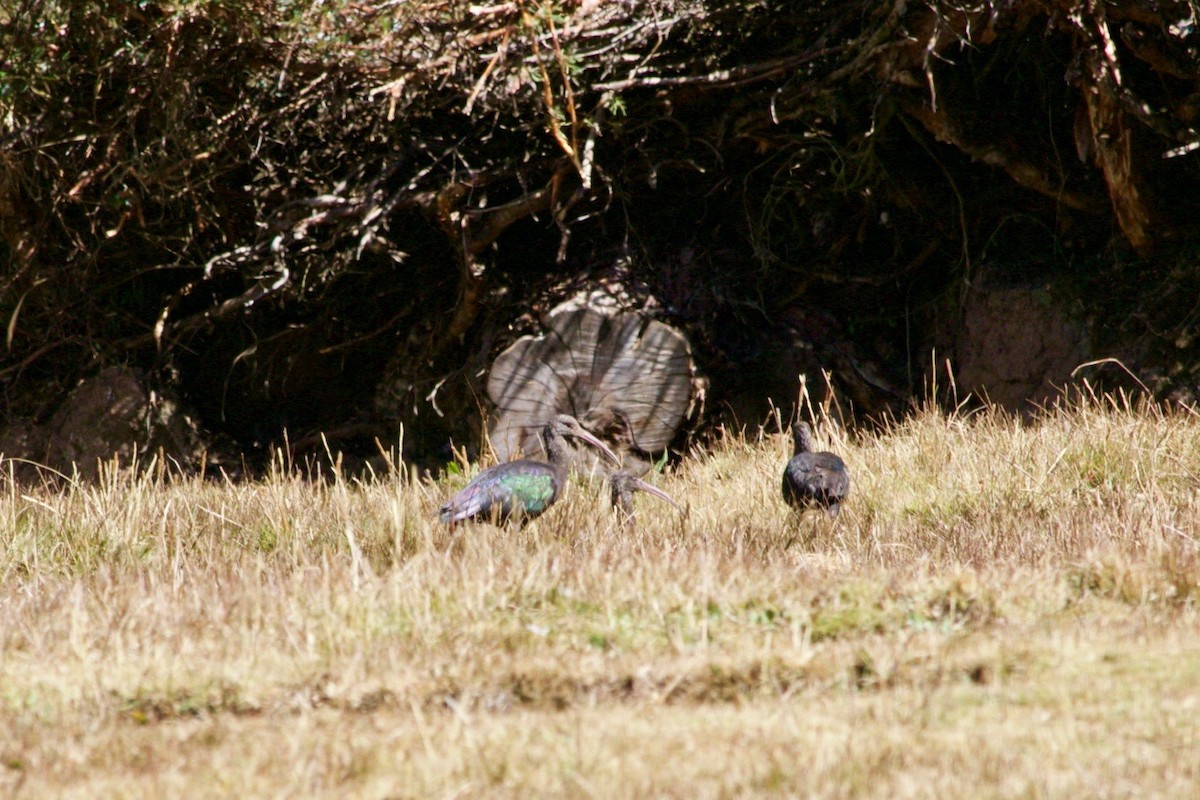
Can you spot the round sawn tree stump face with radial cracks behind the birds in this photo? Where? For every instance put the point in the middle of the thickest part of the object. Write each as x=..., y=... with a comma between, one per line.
x=626, y=377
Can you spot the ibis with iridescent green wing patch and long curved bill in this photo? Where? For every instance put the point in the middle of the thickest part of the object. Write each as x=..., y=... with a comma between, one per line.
x=523, y=490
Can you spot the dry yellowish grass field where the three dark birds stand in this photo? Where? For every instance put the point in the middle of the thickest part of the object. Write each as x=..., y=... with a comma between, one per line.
x=1003, y=610
